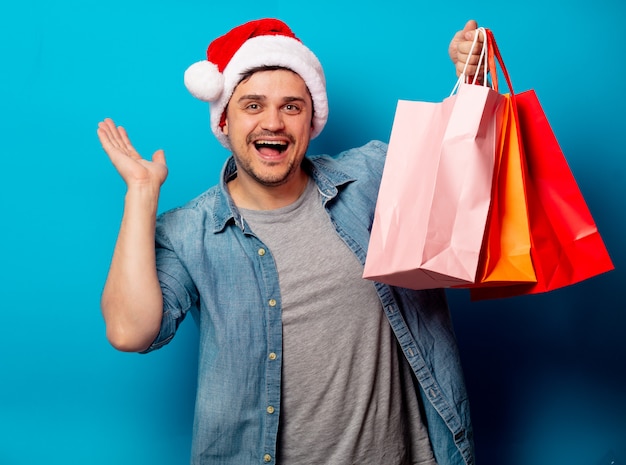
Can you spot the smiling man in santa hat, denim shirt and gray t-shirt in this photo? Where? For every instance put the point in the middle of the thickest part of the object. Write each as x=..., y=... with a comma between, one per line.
x=301, y=361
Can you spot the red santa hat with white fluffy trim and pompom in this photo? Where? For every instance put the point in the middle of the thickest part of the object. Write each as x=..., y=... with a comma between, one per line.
x=265, y=42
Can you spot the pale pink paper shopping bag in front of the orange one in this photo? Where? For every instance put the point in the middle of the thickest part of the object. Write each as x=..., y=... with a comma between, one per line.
x=435, y=191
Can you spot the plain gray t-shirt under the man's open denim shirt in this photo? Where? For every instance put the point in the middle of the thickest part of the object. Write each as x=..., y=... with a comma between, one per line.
x=347, y=392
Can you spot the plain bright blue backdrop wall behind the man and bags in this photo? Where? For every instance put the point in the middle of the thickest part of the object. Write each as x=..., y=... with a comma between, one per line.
x=545, y=373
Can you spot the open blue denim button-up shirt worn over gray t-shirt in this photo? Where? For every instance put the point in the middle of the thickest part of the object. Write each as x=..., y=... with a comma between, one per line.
x=210, y=262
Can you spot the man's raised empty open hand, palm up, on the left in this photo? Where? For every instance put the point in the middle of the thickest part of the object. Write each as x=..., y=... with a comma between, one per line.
x=134, y=169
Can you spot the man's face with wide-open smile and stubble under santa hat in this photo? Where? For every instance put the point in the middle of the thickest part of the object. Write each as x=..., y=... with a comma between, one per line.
x=268, y=123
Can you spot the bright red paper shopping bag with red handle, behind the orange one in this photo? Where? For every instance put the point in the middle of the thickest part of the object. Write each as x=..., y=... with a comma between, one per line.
x=566, y=246
